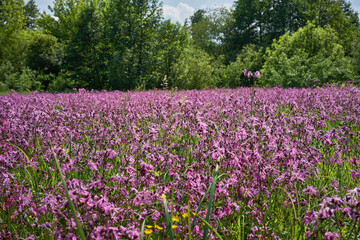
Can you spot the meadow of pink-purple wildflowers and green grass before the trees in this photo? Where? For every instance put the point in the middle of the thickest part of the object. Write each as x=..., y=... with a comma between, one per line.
x=209, y=164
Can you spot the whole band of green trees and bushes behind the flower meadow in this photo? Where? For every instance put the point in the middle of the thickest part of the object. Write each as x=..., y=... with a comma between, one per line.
x=126, y=45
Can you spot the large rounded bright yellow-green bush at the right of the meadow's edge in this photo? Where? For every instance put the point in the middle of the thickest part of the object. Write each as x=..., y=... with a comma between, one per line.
x=311, y=53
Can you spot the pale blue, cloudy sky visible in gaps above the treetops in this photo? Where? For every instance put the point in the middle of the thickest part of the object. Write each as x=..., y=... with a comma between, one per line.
x=179, y=10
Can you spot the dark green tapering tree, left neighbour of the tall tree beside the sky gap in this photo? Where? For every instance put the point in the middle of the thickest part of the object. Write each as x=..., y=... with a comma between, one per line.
x=86, y=54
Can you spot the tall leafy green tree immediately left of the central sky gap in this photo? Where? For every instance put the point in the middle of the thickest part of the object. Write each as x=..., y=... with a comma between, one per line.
x=131, y=30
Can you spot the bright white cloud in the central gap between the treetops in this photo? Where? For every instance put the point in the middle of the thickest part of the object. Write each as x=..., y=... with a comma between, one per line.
x=178, y=13
